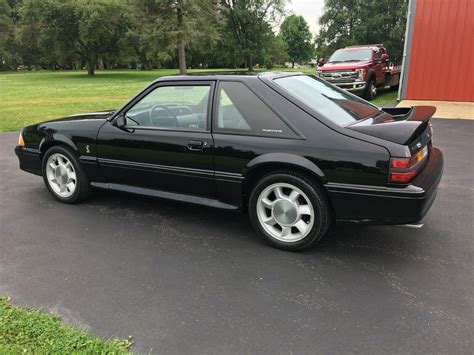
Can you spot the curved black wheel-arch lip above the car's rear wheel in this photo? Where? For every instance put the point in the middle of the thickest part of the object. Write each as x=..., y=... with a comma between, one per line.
x=285, y=159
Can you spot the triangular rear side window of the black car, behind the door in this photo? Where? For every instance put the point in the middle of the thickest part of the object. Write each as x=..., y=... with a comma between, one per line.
x=240, y=111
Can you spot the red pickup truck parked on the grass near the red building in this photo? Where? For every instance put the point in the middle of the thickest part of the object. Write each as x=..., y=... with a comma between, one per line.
x=361, y=70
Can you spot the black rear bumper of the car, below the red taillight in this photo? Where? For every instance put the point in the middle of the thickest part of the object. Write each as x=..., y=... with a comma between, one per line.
x=387, y=205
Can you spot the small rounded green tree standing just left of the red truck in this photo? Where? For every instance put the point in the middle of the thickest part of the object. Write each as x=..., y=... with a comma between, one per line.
x=295, y=32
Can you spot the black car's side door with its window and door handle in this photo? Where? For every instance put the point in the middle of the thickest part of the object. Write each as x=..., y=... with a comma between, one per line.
x=164, y=141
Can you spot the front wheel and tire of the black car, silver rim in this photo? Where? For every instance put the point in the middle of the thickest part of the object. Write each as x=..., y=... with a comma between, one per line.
x=64, y=176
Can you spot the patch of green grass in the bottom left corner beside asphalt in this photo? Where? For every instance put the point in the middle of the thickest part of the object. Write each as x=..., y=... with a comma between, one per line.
x=24, y=330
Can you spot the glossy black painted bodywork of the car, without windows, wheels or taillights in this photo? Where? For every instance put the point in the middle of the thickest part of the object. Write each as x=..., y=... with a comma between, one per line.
x=351, y=165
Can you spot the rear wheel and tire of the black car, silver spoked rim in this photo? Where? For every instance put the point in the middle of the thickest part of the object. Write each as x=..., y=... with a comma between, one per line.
x=289, y=210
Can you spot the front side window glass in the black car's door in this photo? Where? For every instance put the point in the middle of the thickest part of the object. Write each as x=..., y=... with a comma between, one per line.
x=172, y=107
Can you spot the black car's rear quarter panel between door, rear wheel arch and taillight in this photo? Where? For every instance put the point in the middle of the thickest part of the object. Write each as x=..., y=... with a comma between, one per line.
x=341, y=158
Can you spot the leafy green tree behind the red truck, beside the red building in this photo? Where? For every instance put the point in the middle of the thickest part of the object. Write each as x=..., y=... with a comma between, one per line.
x=349, y=22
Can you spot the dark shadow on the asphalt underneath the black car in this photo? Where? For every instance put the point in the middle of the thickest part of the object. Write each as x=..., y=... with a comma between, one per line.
x=234, y=228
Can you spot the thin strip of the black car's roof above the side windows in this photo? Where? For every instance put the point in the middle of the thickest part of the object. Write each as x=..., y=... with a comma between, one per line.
x=236, y=75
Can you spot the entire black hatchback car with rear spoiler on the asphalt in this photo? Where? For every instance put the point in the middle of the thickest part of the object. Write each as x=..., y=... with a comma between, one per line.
x=294, y=151
